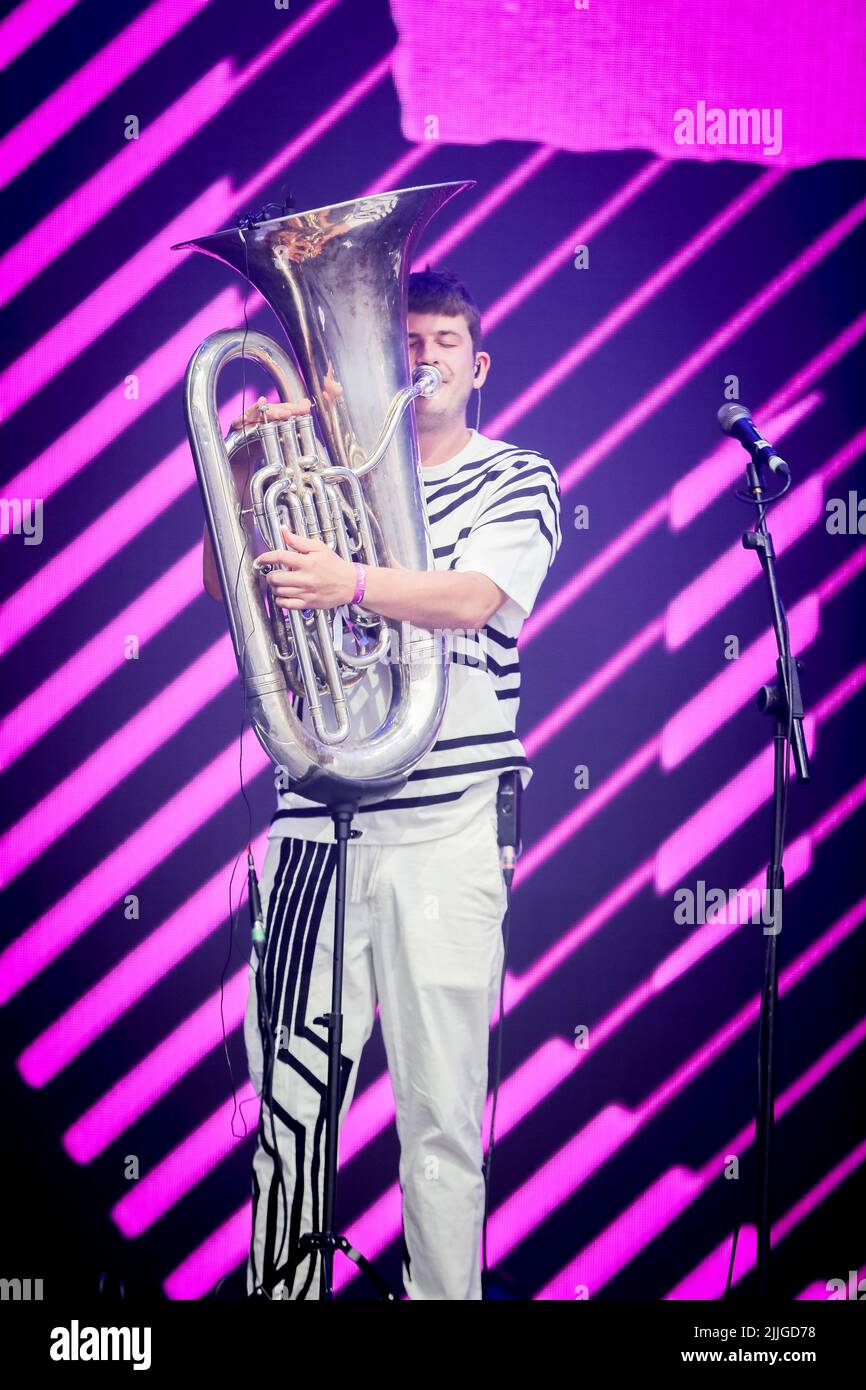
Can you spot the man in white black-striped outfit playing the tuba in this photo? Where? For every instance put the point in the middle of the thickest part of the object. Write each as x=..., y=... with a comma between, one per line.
x=426, y=894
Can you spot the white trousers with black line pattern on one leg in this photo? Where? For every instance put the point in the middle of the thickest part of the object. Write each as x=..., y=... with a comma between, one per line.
x=423, y=938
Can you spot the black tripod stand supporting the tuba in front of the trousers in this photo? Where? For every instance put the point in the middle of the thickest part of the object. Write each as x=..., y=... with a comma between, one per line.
x=329, y=1241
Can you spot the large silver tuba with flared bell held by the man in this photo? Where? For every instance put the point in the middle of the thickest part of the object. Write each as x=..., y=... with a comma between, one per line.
x=337, y=280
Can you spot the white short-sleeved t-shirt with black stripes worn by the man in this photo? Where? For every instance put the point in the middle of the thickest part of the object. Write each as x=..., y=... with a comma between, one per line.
x=493, y=509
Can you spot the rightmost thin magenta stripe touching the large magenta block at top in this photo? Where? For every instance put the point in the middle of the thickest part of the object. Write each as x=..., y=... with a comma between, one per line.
x=633, y=304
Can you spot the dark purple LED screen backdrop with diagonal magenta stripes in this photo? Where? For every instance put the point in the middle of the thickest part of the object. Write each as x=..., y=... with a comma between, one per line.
x=630, y=281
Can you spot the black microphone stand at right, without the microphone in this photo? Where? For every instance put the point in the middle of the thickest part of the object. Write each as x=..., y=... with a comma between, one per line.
x=783, y=703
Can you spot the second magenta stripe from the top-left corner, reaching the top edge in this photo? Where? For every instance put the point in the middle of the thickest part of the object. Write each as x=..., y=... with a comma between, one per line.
x=92, y=84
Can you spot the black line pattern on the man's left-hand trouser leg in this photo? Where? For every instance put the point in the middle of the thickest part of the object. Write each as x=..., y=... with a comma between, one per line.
x=295, y=914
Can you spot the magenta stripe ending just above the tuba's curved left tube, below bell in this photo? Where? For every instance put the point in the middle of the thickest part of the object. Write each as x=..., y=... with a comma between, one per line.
x=105, y=423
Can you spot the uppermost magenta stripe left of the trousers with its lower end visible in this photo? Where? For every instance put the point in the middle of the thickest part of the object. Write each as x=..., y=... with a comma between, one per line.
x=145, y=965
